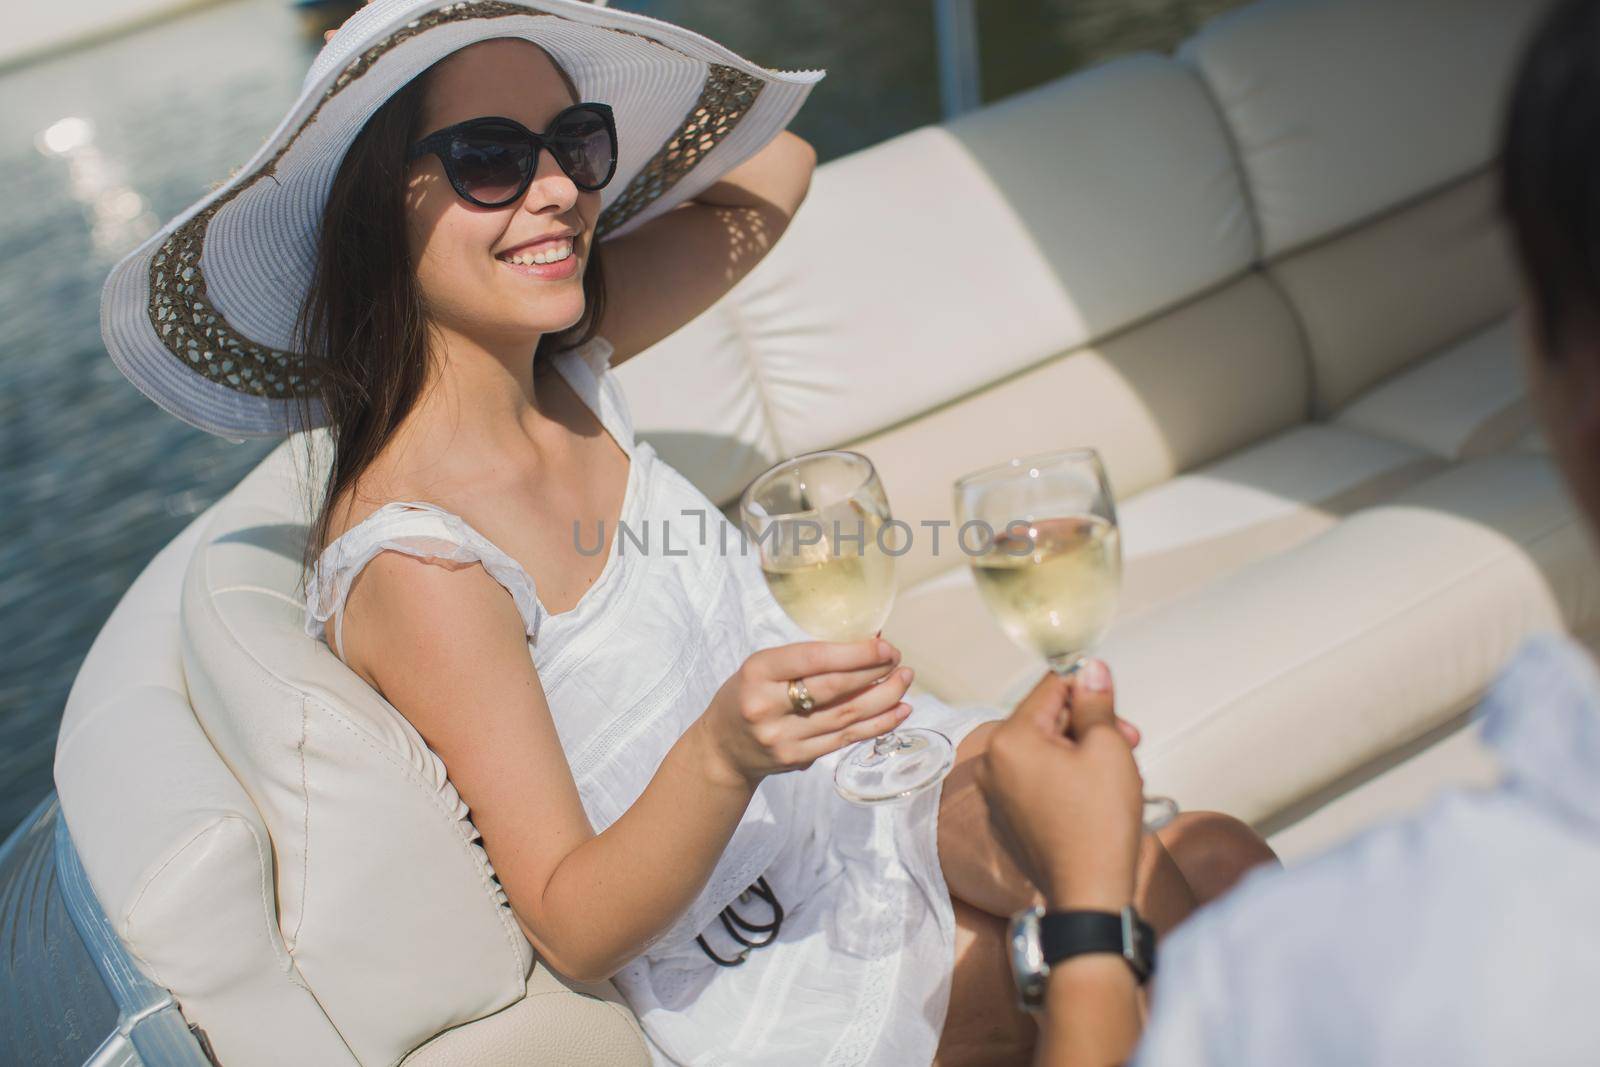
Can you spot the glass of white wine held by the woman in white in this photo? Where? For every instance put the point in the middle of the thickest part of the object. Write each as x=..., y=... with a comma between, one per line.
x=818, y=522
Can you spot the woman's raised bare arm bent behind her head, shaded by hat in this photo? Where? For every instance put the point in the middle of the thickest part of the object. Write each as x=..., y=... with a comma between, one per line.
x=676, y=266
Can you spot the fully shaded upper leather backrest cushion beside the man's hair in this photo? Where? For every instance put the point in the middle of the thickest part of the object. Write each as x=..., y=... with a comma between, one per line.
x=1346, y=108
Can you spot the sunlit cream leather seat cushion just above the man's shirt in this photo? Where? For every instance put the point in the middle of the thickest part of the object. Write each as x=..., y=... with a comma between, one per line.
x=1287, y=674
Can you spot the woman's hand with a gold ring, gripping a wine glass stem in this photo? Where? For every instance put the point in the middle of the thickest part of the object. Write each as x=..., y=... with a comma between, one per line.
x=753, y=729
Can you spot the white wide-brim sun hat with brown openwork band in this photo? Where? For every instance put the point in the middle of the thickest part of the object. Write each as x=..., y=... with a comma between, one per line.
x=201, y=318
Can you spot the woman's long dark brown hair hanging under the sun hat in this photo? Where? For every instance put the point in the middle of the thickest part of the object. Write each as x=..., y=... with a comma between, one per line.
x=364, y=324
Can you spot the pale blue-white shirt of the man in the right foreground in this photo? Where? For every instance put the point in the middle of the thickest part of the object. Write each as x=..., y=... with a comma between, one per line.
x=1468, y=933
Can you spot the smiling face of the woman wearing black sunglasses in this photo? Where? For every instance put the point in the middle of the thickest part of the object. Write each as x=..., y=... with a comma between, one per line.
x=463, y=254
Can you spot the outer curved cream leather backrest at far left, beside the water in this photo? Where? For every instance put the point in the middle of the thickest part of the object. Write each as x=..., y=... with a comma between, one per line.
x=177, y=853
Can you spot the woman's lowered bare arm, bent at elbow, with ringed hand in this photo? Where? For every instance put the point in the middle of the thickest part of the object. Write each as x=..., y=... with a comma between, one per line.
x=446, y=645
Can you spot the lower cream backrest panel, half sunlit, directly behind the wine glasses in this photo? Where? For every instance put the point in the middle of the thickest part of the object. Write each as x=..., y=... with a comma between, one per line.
x=1156, y=399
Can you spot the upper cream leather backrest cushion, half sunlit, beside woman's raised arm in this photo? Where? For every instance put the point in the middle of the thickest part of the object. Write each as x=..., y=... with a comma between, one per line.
x=948, y=258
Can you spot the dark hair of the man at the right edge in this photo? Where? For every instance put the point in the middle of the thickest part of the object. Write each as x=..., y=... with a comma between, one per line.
x=1551, y=177
